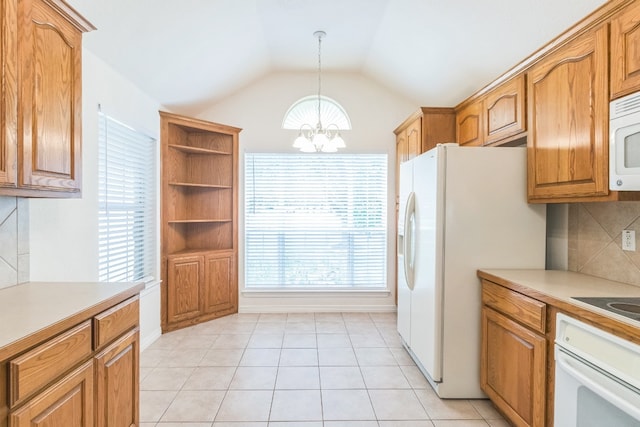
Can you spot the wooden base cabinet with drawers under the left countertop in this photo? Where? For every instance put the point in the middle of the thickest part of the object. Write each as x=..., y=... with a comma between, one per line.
x=86, y=376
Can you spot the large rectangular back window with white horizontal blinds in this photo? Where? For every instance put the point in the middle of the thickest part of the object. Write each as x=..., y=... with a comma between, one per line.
x=314, y=220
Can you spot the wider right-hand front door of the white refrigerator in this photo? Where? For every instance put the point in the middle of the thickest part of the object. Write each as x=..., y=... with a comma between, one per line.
x=426, y=298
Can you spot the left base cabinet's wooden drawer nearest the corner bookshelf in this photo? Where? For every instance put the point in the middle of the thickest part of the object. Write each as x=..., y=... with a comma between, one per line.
x=112, y=323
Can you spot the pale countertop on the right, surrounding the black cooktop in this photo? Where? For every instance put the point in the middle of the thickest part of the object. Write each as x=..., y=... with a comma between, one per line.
x=553, y=287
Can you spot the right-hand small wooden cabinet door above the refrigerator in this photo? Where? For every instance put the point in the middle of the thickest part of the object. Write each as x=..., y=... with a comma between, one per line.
x=504, y=110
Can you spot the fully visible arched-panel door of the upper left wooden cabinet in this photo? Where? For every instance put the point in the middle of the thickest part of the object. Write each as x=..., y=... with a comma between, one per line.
x=50, y=99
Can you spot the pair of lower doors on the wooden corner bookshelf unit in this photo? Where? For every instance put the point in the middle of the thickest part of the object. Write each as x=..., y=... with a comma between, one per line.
x=200, y=286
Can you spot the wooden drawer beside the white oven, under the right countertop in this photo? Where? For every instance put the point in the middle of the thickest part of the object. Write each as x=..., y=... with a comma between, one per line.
x=527, y=311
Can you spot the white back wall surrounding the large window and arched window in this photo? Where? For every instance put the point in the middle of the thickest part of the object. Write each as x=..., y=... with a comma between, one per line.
x=259, y=109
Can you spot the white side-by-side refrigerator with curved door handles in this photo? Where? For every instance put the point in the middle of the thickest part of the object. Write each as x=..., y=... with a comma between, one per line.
x=461, y=209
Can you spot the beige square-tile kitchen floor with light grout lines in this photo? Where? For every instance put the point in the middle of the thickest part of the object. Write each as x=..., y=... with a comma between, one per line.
x=294, y=370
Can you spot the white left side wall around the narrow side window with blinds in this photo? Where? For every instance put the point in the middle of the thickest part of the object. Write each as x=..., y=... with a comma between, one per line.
x=64, y=232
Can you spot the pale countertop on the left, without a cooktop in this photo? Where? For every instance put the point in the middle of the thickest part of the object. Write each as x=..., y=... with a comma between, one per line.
x=28, y=308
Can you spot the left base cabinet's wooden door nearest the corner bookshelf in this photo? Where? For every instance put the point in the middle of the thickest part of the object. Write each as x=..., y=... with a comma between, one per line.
x=117, y=380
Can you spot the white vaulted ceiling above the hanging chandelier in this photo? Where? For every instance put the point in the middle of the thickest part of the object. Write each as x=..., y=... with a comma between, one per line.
x=434, y=52
